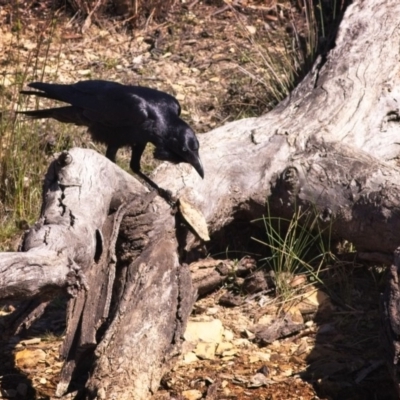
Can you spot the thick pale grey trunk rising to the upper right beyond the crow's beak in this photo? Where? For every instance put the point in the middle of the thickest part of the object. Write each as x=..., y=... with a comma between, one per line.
x=331, y=145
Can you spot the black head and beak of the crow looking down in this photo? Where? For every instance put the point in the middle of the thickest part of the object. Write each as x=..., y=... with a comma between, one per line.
x=181, y=145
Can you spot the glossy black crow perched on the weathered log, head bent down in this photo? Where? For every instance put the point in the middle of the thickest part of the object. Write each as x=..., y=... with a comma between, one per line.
x=123, y=115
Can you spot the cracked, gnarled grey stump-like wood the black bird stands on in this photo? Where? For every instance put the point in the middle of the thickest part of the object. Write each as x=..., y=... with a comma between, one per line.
x=130, y=300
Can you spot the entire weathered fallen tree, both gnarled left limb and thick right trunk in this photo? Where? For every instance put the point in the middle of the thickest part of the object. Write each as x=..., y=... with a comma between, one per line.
x=331, y=147
